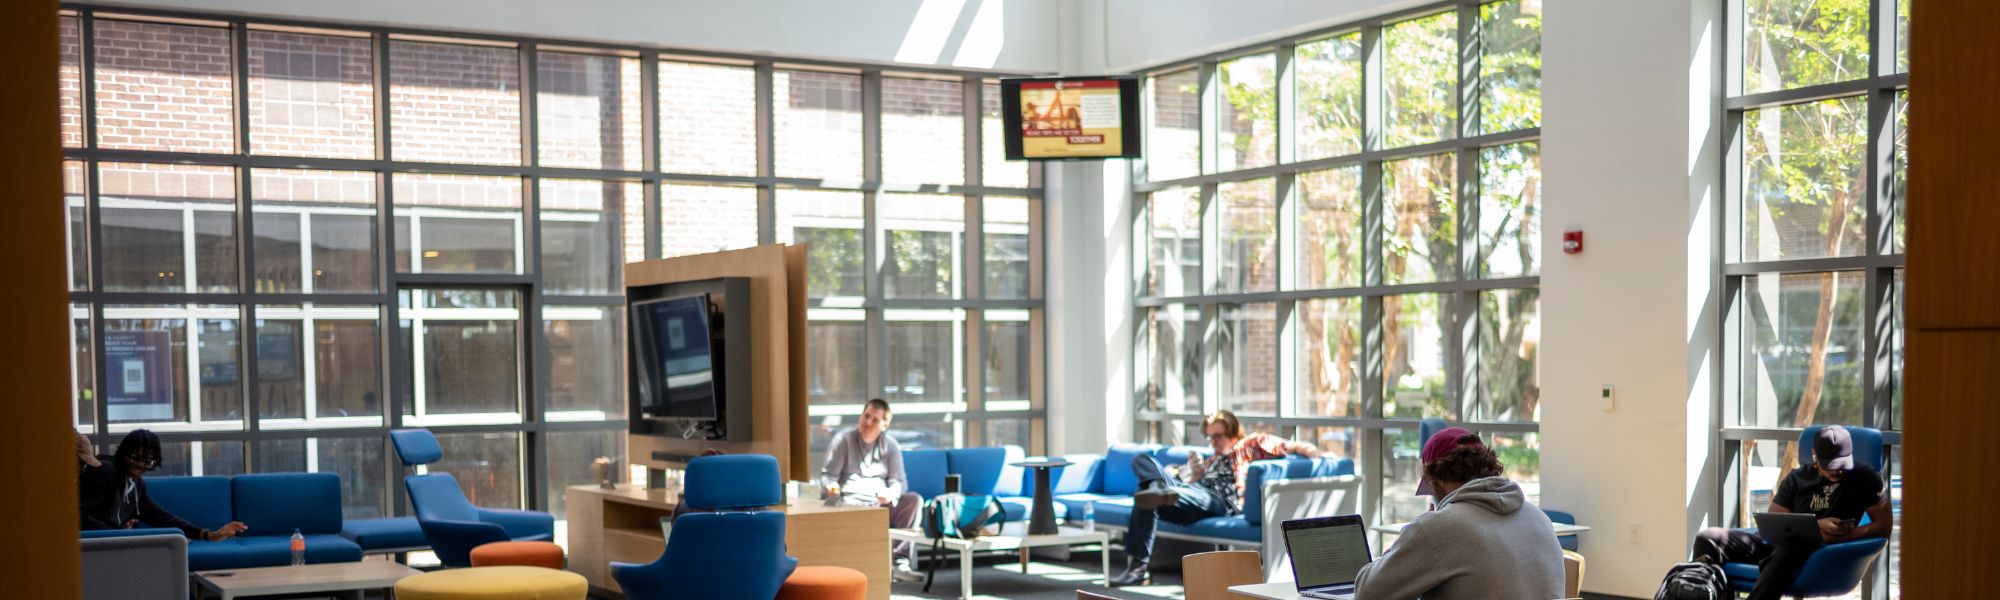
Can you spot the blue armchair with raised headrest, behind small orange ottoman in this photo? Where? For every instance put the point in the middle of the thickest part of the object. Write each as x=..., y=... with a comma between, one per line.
x=449, y=521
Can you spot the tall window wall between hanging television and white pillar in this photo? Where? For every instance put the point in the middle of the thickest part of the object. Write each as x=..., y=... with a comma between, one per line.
x=1341, y=237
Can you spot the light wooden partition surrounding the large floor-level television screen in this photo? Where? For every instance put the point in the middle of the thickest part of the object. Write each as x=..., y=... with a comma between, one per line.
x=777, y=351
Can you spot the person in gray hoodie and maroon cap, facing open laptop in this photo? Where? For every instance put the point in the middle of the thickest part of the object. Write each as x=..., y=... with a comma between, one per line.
x=1481, y=541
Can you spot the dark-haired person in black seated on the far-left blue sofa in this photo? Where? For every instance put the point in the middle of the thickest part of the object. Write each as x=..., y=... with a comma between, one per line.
x=115, y=493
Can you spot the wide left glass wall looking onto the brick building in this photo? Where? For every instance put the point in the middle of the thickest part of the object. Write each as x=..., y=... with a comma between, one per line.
x=287, y=241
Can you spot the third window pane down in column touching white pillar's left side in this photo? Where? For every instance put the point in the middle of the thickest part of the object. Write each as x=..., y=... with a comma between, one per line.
x=1511, y=341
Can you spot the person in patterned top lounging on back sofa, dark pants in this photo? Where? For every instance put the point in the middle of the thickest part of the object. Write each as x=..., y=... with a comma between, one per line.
x=1209, y=487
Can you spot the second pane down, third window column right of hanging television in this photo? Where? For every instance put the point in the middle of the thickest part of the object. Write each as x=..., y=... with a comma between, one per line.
x=1331, y=229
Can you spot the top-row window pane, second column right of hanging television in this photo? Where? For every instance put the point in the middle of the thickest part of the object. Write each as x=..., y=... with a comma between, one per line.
x=1247, y=121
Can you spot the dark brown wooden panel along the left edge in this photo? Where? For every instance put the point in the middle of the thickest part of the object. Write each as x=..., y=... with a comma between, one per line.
x=41, y=557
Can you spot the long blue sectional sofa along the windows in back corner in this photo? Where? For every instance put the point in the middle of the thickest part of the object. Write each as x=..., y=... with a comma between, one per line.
x=1275, y=491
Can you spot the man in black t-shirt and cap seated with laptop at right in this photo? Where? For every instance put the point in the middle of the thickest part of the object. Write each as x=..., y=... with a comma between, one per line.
x=1833, y=489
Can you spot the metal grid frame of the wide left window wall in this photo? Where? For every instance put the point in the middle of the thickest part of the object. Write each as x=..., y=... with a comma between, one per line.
x=535, y=429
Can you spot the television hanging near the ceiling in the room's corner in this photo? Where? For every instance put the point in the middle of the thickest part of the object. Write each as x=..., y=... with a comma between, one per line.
x=1069, y=119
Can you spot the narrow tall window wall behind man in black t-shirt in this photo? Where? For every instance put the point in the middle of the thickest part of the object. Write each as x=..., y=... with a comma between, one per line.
x=1813, y=237
